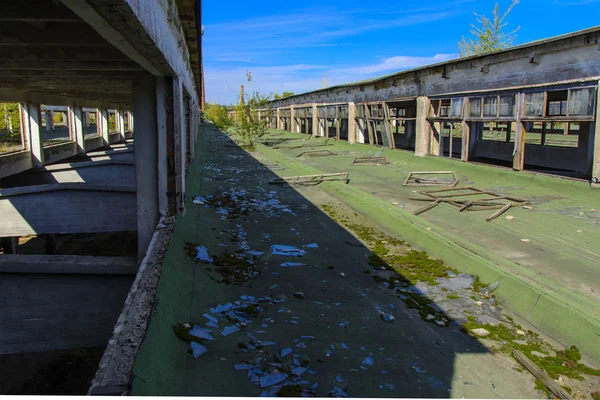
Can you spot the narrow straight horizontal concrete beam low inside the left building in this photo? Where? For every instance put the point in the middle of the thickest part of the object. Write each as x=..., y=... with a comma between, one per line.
x=66, y=264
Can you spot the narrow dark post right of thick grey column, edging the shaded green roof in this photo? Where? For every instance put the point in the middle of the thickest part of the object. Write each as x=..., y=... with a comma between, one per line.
x=179, y=126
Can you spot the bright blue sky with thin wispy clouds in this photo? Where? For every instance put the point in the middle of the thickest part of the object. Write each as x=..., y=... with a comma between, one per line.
x=301, y=46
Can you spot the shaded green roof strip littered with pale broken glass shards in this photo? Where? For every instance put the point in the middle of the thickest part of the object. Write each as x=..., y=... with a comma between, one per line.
x=411, y=357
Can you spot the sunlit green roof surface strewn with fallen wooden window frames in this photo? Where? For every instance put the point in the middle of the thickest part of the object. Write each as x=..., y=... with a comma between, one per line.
x=561, y=258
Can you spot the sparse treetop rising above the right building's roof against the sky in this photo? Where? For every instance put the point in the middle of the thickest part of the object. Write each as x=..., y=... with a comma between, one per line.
x=490, y=35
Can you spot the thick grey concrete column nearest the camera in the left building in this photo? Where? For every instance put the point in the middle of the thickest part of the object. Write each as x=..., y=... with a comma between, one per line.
x=146, y=159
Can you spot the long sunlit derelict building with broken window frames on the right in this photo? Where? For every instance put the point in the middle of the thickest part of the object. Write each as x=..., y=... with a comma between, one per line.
x=530, y=107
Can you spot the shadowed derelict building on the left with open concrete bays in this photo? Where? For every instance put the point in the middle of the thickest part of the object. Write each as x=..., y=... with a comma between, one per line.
x=100, y=103
